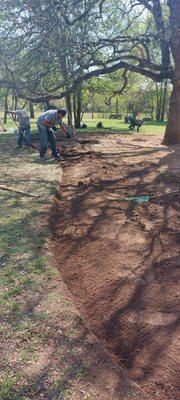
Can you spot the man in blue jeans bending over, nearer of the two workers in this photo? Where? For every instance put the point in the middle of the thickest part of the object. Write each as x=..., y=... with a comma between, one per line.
x=45, y=123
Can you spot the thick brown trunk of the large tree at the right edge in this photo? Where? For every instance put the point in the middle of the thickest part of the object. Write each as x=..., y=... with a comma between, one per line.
x=172, y=133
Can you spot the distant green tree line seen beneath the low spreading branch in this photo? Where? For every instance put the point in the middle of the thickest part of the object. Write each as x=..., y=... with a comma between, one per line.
x=97, y=96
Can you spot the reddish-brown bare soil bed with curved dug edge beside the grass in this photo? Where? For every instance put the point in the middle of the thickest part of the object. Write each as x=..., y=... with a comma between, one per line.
x=120, y=259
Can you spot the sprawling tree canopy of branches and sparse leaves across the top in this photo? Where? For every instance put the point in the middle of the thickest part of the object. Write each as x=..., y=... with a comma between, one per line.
x=49, y=47
